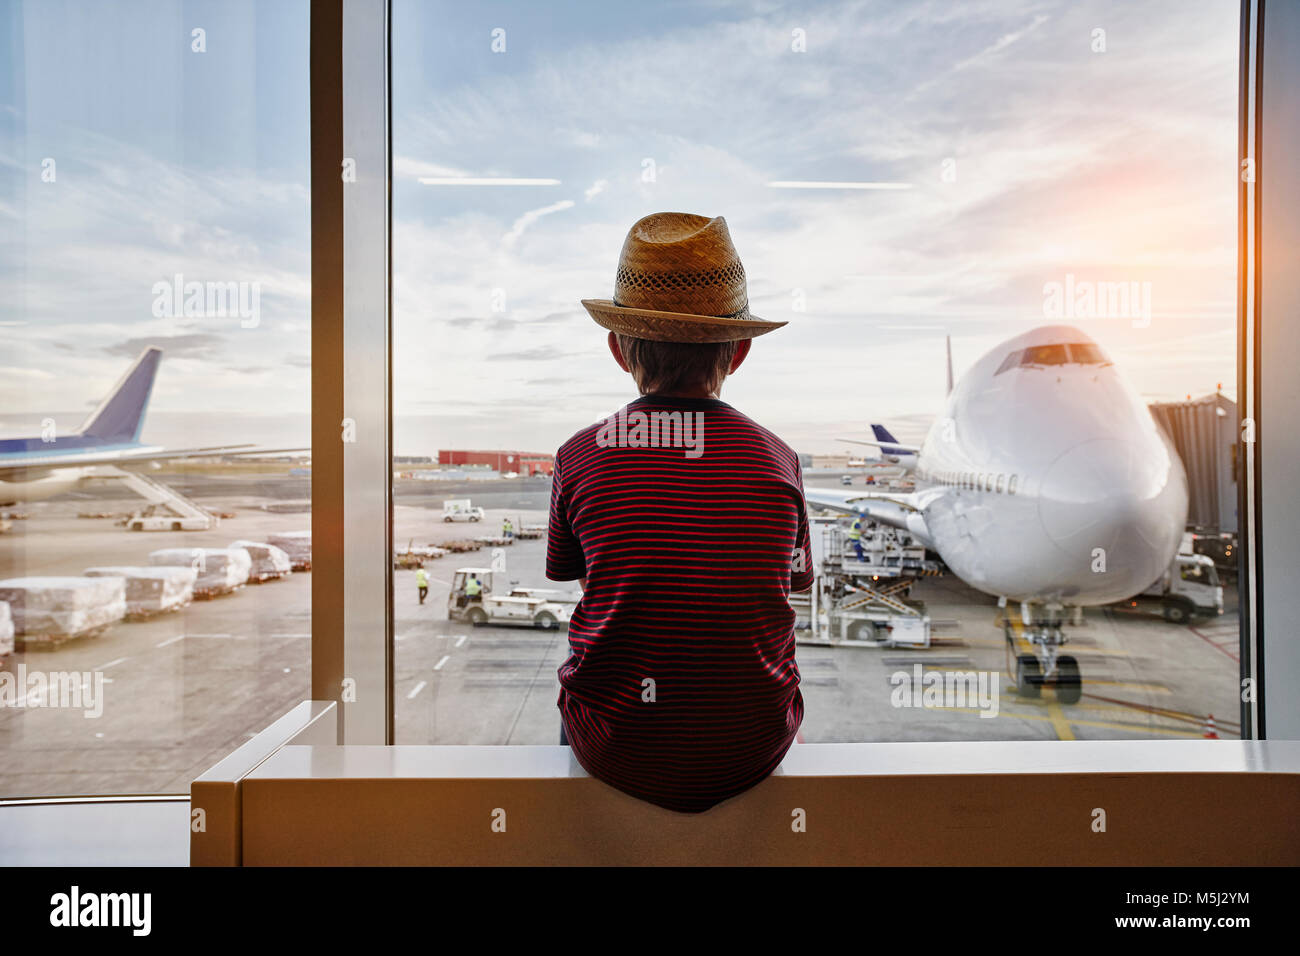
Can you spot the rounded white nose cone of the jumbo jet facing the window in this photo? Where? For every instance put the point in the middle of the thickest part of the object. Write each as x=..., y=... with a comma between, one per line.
x=1123, y=499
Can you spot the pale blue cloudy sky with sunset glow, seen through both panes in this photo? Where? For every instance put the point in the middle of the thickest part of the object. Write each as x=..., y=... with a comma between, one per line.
x=1025, y=152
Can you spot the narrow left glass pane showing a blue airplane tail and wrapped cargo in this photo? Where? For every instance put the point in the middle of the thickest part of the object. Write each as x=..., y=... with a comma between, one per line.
x=155, y=395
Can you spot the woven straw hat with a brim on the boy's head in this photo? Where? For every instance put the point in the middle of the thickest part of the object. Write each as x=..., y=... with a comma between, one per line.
x=679, y=280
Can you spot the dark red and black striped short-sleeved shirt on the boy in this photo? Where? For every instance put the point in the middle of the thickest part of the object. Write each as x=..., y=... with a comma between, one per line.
x=688, y=522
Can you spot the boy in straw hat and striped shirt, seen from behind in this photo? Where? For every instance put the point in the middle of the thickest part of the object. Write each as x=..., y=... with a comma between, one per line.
x=687, y=526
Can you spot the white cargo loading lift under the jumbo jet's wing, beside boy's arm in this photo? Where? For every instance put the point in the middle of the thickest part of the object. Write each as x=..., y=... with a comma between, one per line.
x=860, y=599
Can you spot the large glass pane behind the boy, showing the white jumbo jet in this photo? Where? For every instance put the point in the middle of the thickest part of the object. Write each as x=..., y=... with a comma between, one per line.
x=1022, y=187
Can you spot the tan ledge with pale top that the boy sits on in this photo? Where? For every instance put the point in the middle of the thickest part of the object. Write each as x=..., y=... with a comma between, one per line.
x=304, y=801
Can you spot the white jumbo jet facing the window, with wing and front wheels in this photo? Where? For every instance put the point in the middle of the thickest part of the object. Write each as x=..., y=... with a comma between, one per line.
x=1046, y=482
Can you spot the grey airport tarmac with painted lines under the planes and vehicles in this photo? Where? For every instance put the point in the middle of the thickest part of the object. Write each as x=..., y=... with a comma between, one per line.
x=185, y=689
